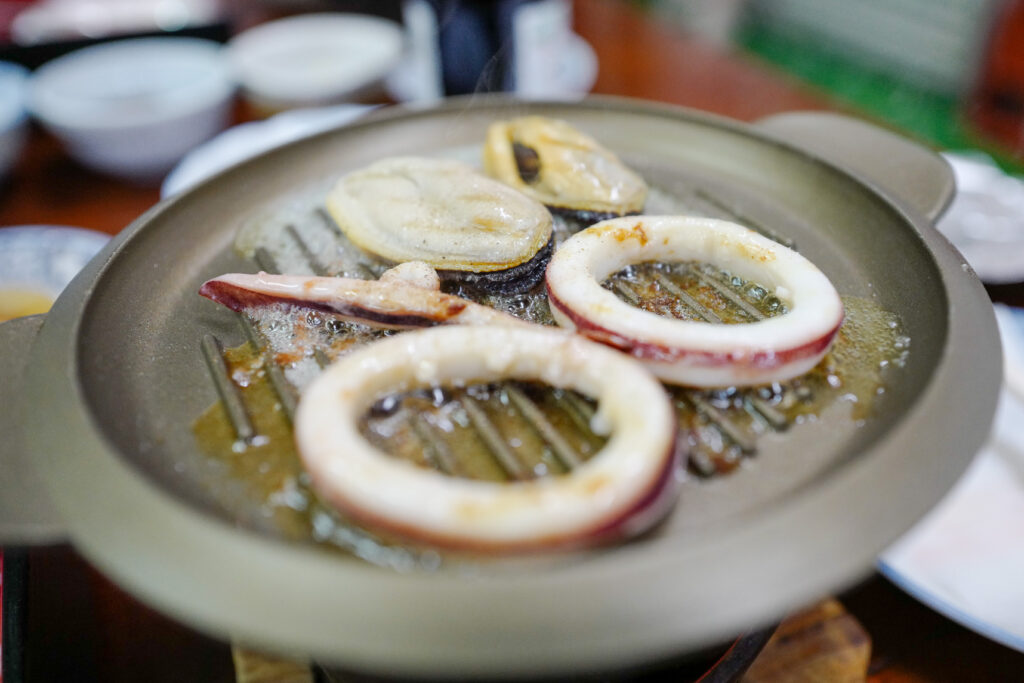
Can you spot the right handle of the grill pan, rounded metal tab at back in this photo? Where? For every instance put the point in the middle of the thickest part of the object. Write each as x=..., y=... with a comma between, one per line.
x=906, y=170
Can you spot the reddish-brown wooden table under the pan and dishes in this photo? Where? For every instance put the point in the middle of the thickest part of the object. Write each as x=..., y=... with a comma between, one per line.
x=83, y=628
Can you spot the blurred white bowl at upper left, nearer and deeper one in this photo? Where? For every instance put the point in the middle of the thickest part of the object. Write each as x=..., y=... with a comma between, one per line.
x=134, y=108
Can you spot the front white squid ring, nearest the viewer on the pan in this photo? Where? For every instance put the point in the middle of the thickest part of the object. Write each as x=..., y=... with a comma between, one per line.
x=621, y=491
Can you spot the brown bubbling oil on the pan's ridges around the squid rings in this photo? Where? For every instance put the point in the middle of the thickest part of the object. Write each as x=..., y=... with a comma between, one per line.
x=720, y=429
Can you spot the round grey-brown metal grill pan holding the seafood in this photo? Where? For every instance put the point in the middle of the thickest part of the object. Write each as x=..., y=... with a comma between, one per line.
x=116, y=379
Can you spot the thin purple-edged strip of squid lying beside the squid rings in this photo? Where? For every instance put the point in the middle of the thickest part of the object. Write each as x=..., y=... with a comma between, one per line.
x=408, y=296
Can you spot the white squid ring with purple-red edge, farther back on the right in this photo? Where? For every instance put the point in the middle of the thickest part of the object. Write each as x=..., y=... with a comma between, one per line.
x=690, y=353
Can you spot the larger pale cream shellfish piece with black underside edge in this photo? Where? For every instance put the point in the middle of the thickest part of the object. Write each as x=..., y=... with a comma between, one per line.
x=468, y=227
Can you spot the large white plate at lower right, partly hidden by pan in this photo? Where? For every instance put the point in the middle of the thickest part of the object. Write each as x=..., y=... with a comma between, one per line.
x=966, y=559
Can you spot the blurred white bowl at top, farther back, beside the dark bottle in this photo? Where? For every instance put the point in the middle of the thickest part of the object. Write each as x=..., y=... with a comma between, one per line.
x=314, y=60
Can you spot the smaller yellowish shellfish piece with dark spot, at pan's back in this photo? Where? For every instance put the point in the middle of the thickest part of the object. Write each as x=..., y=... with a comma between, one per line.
x=561, y=167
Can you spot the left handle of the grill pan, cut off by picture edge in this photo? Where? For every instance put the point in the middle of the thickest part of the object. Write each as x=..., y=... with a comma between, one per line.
x=27, y=517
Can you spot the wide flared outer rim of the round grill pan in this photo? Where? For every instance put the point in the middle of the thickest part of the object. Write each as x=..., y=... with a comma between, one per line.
x=95, y=464
